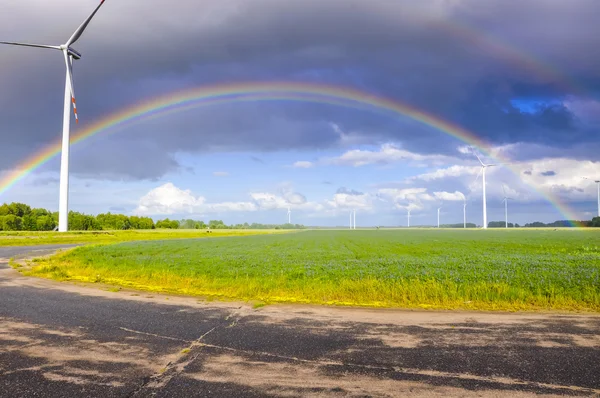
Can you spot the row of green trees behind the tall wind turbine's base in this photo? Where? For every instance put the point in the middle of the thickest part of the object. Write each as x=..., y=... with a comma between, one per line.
x=21, y=217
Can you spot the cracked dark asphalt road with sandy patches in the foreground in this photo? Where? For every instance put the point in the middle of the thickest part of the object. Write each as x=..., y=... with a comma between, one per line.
x=67, y=340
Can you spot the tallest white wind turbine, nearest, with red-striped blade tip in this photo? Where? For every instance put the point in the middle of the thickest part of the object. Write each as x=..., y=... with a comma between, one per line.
x=69, y=54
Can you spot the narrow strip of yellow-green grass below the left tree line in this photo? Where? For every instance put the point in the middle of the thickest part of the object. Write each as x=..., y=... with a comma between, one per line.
x=26, y=238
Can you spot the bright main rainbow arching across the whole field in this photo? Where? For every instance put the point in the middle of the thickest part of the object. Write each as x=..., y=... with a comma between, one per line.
x=259, y=91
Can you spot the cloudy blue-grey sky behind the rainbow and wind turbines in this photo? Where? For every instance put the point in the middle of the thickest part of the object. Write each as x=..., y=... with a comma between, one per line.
x=524, y=77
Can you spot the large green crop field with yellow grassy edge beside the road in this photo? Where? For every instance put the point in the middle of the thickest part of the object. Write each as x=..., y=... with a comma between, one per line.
x=443, y=269
